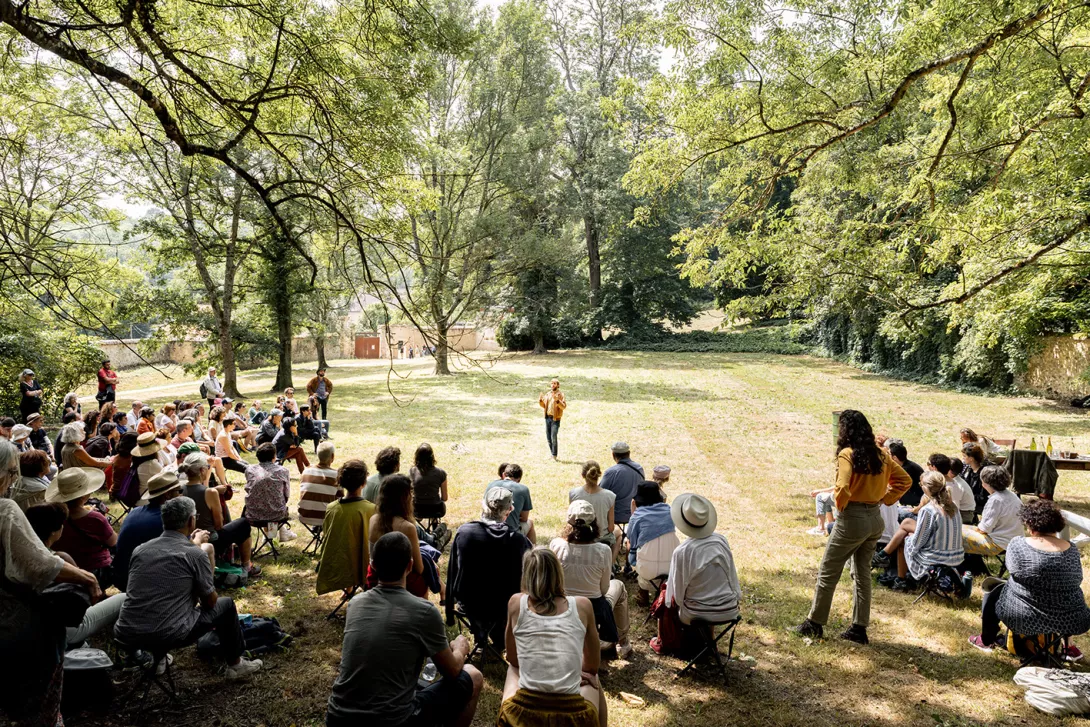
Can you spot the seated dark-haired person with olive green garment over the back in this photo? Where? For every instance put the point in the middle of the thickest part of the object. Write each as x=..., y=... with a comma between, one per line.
x=346, y=549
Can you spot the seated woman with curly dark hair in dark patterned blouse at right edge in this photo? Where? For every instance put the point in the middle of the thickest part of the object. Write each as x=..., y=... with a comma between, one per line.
x=1044, y=595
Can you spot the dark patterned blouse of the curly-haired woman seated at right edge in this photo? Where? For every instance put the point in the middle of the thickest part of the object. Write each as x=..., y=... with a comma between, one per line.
x=1045, y=593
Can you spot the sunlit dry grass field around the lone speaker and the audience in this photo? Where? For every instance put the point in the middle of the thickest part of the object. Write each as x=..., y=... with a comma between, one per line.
x=755, y=433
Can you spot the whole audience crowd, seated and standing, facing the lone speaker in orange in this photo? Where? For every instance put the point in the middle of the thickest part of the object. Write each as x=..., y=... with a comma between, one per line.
x=555, y=610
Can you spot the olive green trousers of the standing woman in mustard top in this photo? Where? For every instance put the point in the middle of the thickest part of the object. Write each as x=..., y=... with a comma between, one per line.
x=856, y=534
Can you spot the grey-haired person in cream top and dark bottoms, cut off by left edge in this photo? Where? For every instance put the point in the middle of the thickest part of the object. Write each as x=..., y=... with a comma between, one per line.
x=31, y=670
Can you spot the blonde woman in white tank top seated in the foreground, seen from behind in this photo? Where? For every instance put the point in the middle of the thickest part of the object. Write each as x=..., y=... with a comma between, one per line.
x=553, y=652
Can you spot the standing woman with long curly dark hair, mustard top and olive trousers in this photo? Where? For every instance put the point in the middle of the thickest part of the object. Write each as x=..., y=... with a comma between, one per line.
x=866, y=478
